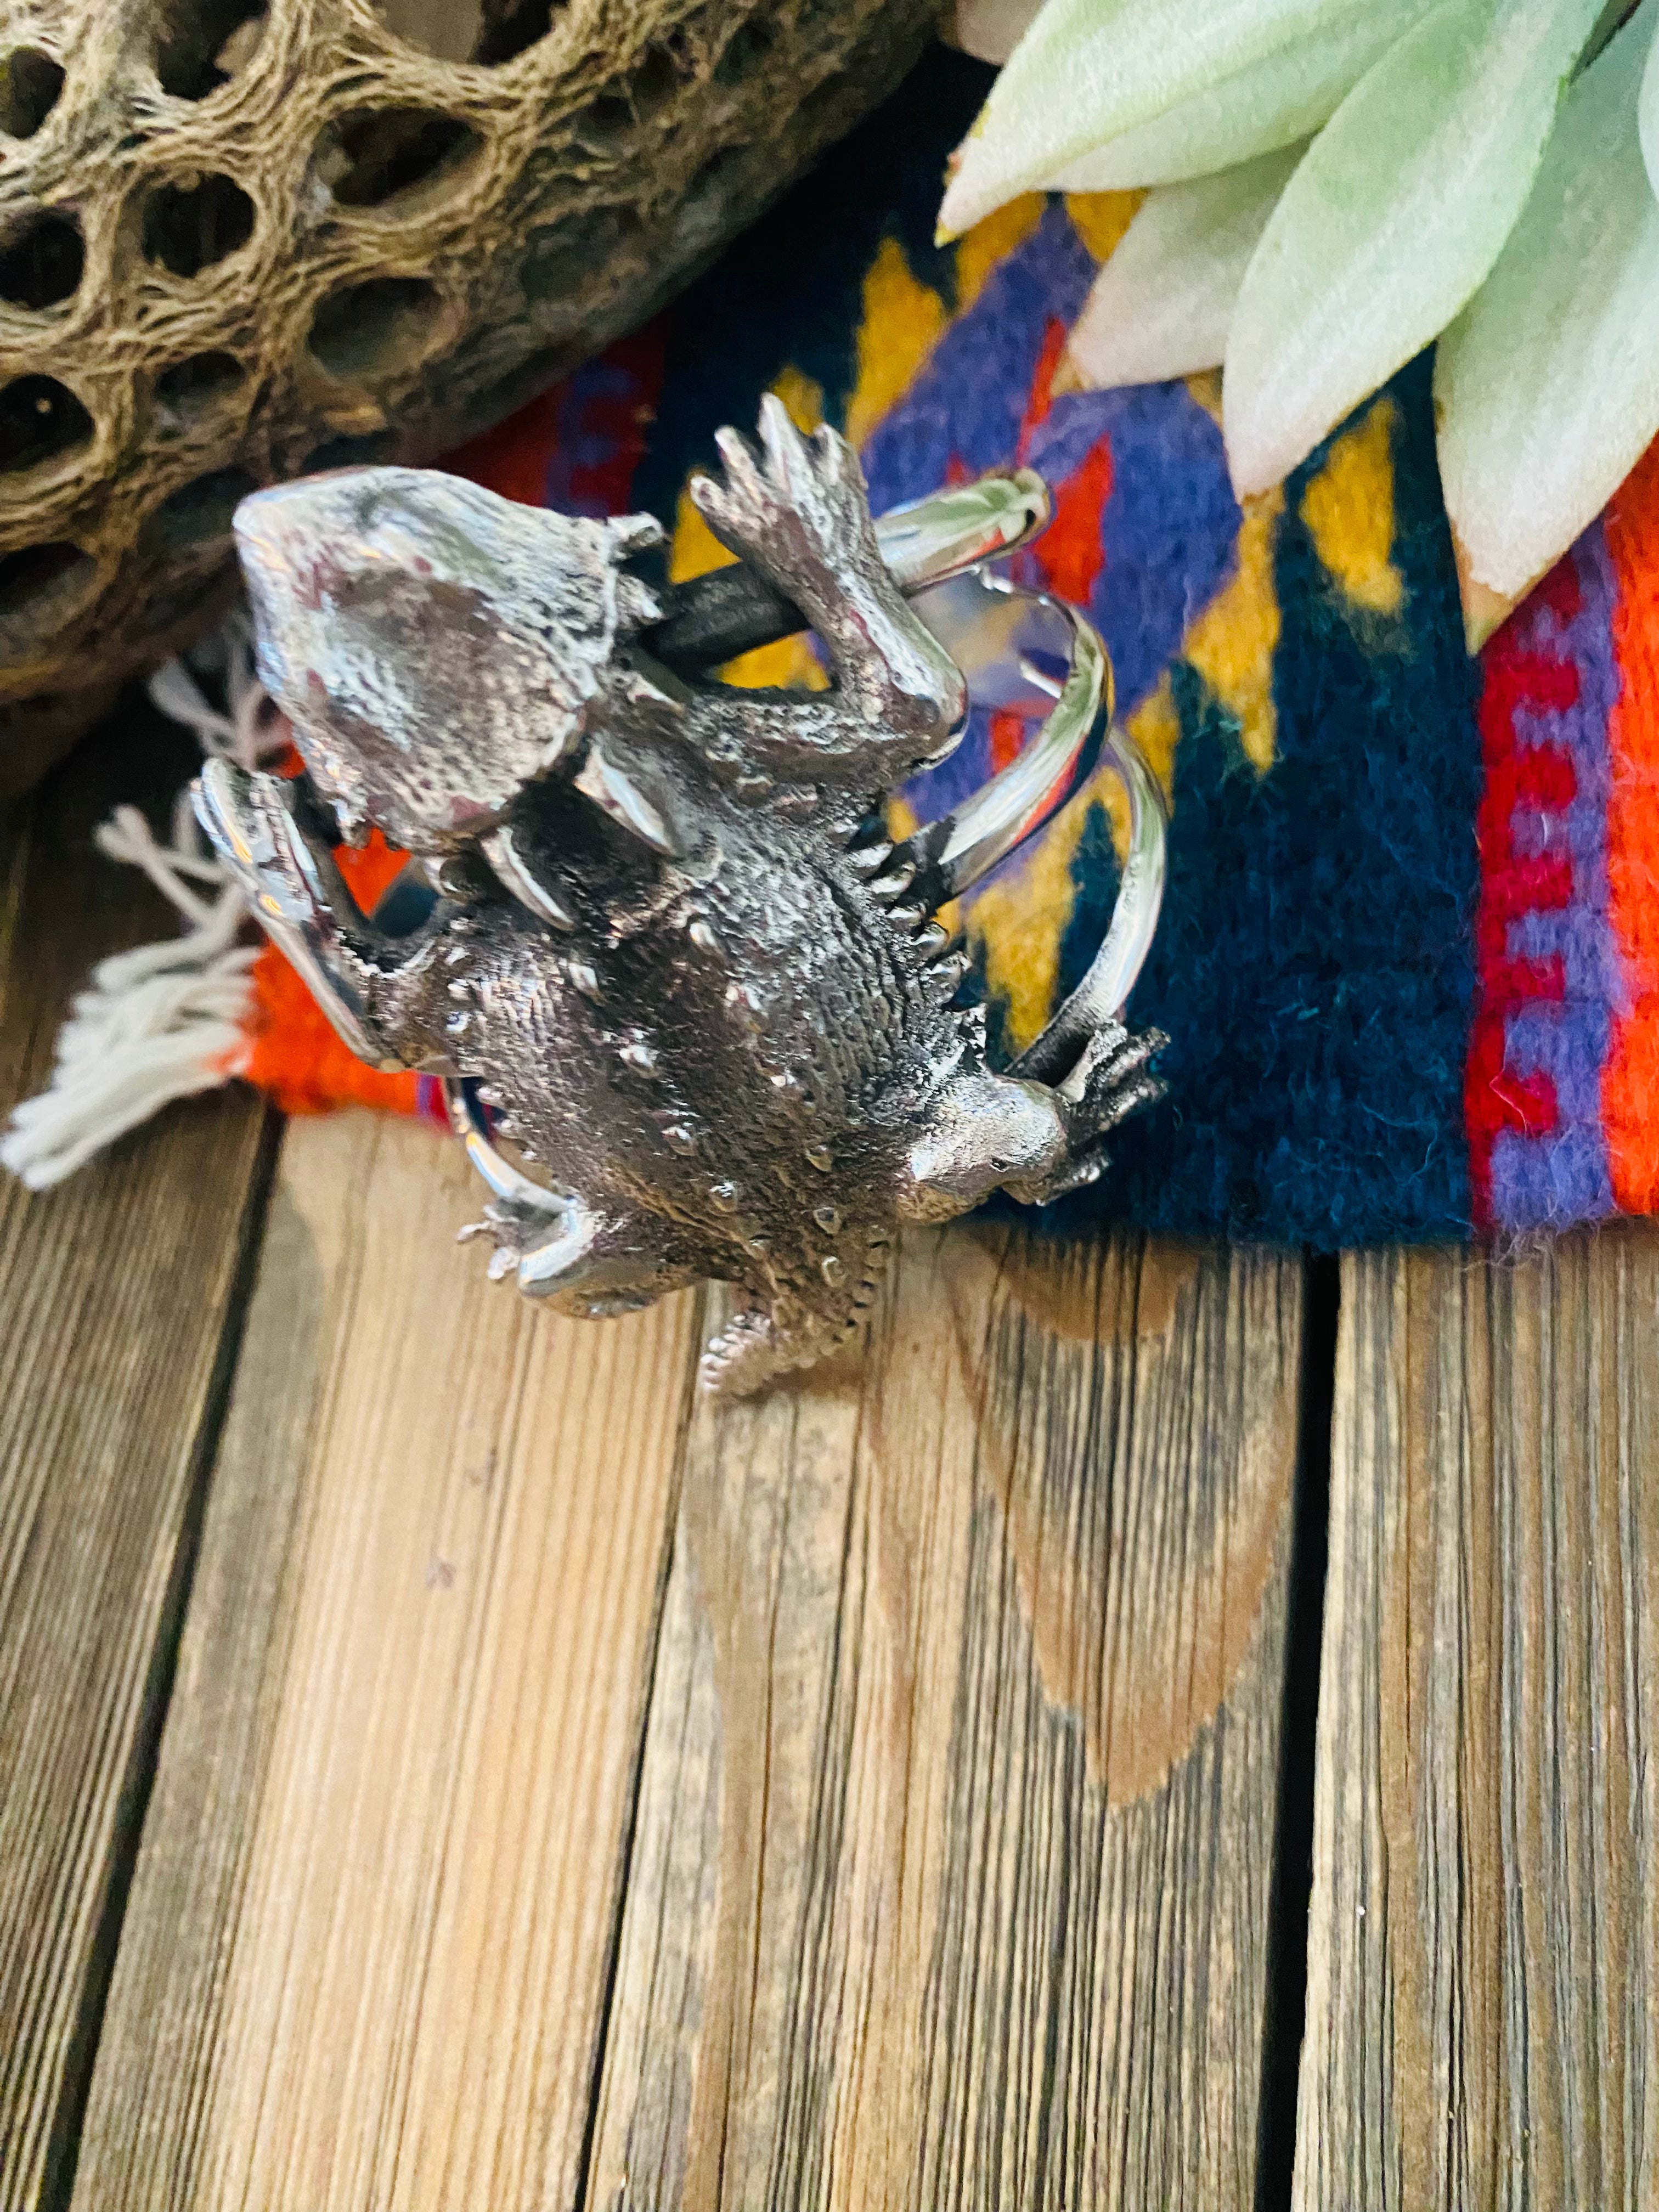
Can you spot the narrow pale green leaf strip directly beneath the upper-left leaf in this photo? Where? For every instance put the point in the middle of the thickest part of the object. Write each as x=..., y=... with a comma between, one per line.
x=1269, y=105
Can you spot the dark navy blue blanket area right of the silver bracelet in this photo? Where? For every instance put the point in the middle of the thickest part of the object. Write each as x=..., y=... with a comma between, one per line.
x=1315, y=963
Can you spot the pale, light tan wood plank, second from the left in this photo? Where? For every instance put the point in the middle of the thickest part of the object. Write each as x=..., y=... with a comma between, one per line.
x=377, y=1897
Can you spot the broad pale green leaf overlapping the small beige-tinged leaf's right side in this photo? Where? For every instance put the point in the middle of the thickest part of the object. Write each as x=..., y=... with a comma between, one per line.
x=1395, y=220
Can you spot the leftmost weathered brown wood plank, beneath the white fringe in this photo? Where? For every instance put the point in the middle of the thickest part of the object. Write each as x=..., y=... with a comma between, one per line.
x=118, y=1297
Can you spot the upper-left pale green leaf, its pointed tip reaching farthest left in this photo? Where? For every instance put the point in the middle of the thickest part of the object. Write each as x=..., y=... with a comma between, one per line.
x=1094, y=70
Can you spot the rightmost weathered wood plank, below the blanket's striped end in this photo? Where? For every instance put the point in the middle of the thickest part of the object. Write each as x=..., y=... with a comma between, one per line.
x=1483, y=1972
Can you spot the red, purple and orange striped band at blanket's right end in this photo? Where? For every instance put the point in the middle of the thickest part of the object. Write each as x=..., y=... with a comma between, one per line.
x=1565, y=1054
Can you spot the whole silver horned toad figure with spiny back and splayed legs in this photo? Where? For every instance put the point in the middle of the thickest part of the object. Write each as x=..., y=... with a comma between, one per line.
x=671, y=948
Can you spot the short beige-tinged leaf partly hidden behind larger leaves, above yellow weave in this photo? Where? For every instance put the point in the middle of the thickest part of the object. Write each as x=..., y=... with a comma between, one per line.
x=1165, y=302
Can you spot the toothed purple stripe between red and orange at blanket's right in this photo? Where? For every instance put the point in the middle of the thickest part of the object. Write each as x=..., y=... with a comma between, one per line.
x=1563, y=1176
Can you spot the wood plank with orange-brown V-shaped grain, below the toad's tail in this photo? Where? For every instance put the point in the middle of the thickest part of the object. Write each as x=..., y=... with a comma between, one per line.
x=957, y=1817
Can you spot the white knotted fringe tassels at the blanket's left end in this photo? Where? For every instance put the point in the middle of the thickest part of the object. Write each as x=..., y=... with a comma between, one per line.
x=163, y=1021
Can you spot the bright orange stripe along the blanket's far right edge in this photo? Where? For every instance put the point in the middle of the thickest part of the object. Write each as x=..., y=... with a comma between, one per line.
x=1631, y=1076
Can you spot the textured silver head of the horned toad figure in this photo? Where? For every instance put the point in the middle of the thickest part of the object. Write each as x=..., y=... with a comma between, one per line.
x=435, y=647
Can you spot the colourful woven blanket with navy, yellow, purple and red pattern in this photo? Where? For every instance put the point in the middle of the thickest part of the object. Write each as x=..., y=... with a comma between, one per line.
x=1410, y=948
